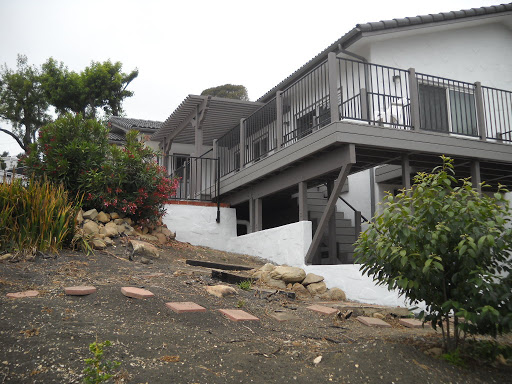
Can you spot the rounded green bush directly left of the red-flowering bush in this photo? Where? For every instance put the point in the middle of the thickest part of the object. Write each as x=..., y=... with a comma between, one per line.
x=67, y=148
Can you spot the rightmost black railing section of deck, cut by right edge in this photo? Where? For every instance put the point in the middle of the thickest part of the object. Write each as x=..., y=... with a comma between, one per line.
x=497, y=105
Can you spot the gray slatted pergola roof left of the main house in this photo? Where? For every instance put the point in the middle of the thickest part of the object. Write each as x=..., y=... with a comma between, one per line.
x=220, y=115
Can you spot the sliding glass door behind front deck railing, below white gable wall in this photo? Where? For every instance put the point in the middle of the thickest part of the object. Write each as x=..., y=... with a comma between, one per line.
x=447, y=109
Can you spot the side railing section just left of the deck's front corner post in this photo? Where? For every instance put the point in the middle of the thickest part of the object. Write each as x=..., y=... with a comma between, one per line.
x=306, y=105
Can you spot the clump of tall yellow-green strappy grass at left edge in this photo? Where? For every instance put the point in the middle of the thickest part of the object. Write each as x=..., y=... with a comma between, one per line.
x=37, y=216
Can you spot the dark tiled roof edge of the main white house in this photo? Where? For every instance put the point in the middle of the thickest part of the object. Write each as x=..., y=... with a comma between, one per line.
x=367, y=28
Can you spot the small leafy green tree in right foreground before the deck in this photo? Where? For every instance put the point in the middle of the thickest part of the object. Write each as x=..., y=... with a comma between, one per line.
x=445, y=244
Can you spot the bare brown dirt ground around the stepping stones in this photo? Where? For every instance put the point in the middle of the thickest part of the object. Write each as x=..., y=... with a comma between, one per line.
x=45, y=339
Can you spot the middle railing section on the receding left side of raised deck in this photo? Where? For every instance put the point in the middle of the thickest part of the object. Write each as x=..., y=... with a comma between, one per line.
x=260, y=132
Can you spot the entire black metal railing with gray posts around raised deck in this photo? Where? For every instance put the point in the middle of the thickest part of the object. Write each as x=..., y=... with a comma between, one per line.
x=372, y=94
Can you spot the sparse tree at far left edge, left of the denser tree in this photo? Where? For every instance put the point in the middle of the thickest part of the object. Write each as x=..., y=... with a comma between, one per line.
x=22, y=101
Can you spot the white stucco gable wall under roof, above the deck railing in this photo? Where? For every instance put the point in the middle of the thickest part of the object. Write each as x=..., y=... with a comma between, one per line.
x=460, y=52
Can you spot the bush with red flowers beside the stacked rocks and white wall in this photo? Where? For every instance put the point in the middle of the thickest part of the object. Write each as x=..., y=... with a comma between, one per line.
x=130, y=182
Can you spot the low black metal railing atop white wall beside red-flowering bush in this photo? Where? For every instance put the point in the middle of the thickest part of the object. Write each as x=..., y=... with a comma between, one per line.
x=198, y=178
